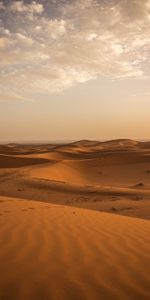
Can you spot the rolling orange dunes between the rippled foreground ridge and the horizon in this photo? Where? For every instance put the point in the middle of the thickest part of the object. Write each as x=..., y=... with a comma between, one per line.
x=111, y=176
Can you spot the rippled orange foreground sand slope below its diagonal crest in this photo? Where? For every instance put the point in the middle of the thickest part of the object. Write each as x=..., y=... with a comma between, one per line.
x=63, y=253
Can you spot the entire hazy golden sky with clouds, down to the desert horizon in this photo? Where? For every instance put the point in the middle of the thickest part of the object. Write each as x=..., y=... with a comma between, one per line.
x=74, y=69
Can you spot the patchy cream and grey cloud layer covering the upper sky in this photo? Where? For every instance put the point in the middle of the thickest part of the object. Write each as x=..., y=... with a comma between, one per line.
x=49, y=47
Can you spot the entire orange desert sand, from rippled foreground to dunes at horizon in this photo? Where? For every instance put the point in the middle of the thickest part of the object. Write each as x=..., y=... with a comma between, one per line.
x=74, y=221
